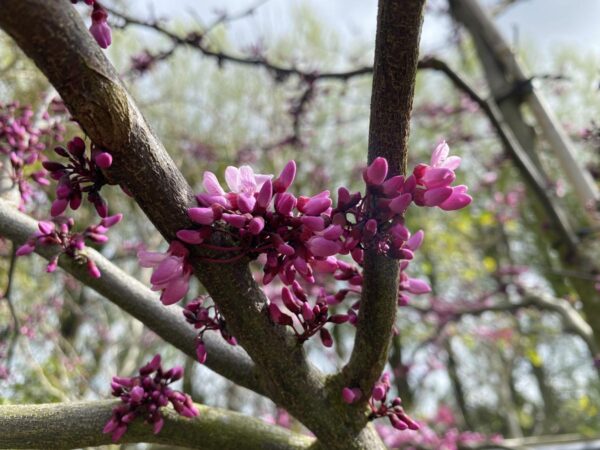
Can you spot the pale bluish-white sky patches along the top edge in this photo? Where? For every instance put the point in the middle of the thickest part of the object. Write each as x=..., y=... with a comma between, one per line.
x=538, y=24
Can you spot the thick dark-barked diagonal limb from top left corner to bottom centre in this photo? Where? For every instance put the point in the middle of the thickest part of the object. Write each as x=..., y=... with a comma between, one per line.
x=54, y=37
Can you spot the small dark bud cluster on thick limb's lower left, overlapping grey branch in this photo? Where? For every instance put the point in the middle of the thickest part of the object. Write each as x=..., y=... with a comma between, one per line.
x=204, y=319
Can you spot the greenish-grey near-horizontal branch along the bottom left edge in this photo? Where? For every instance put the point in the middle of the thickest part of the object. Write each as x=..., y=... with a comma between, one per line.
x=75, y=425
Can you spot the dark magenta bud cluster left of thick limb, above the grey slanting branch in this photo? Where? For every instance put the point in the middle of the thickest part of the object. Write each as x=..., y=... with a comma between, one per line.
x=81, y=175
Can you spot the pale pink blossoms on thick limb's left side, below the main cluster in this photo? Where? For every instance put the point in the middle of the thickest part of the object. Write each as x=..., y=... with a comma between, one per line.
x=171, y=273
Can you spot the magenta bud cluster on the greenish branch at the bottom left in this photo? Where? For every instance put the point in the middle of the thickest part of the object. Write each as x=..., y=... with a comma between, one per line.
x=144, y=395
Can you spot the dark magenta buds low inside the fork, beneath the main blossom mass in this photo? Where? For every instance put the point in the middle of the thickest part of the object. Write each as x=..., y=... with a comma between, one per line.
x=308, y=319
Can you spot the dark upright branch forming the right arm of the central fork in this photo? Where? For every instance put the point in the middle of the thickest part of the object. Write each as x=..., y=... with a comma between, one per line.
x=396, y=57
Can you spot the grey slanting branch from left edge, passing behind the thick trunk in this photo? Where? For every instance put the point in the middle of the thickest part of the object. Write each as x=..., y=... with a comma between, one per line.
x=139, y=301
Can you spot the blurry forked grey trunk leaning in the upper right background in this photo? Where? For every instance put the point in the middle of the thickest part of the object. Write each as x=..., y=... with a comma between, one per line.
x=510, y=89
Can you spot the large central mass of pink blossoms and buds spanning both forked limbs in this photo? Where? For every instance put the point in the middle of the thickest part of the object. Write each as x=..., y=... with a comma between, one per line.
x=299, y=237
